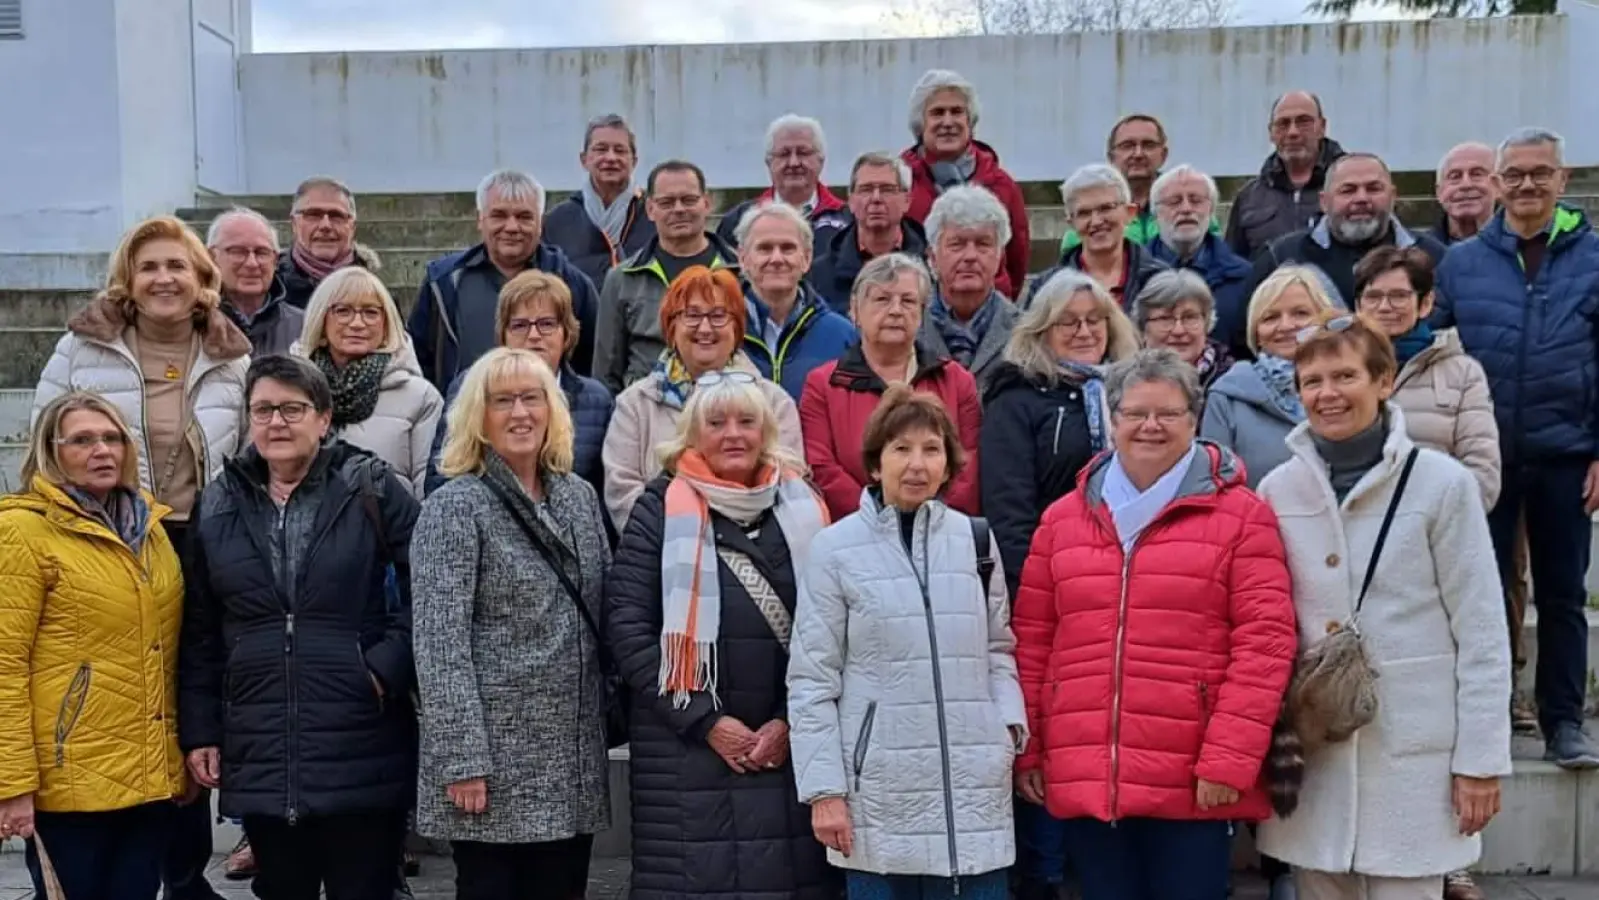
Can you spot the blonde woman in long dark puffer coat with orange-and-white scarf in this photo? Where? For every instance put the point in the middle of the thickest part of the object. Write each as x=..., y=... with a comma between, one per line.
x=700, y=613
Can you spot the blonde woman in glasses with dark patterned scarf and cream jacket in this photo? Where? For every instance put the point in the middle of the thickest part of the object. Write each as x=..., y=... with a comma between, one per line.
x=381, y=402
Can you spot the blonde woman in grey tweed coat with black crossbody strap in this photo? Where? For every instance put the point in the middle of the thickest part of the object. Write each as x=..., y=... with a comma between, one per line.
x=509, y=563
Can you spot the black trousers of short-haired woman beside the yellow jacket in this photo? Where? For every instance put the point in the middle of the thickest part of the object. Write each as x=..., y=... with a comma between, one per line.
x=354, y=858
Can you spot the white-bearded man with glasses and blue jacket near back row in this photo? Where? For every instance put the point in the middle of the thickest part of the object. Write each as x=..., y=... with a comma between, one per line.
x=1184, y=202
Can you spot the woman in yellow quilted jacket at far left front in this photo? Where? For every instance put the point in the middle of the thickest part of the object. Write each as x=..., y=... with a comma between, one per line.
x=90, y=608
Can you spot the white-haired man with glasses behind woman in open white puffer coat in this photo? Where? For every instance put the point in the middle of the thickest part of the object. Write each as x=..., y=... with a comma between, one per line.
x=245, y=250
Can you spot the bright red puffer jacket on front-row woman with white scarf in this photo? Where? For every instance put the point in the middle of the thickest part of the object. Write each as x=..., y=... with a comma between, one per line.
x=1149, y=671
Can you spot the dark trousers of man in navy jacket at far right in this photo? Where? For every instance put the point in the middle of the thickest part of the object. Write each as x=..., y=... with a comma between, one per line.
x=1558, y=535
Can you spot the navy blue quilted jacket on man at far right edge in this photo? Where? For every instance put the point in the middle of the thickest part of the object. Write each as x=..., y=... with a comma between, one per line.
x=1537, y=343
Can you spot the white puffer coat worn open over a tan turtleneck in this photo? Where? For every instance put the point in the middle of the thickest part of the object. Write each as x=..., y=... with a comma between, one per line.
x=94, y=356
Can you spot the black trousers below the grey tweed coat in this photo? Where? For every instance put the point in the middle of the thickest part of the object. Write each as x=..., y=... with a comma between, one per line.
x=551, y=870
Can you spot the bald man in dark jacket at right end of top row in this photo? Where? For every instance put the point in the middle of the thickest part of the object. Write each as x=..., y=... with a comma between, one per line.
x=1286, y=196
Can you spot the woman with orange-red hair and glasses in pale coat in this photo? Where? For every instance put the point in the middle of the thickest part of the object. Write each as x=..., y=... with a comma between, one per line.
x=703, y=319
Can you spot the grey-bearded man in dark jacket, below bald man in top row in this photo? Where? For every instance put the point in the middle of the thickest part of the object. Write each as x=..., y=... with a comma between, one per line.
x=1357, y=217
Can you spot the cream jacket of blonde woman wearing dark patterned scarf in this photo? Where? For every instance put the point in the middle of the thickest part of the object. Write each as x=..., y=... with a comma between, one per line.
x=402, y=426
